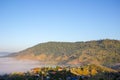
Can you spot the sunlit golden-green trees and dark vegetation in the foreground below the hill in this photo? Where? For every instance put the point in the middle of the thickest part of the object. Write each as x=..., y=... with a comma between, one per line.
x=89, y=72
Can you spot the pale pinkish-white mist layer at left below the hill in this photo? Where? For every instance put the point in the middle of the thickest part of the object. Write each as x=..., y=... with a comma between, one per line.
x=10, y=65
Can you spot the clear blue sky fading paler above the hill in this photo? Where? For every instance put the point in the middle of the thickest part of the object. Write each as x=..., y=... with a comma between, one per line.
x=25, y=23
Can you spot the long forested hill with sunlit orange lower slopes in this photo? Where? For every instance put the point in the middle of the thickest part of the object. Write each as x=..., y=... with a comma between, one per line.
x=105, y=52
